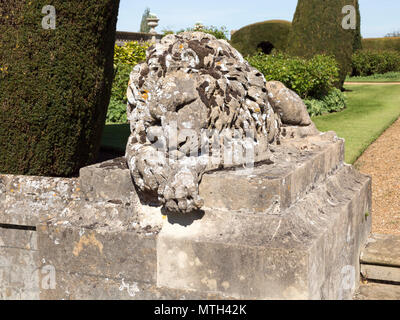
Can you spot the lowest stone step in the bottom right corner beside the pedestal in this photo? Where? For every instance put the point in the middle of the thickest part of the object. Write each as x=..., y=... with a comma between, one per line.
x=378, y=291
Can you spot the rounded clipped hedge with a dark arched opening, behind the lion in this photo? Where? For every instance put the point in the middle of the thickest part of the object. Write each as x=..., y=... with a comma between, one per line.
x=247, y=39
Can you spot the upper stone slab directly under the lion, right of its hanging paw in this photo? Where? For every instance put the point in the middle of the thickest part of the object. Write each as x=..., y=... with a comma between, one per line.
x=295, y=167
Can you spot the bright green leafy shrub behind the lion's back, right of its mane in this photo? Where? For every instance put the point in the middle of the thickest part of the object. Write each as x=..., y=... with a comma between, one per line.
x=308, y=78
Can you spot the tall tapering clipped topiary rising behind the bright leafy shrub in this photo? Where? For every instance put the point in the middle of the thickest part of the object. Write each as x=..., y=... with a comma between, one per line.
x=317, y=29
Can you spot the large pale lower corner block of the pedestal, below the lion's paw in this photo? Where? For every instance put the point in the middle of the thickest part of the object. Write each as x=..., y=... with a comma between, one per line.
x=301, y=254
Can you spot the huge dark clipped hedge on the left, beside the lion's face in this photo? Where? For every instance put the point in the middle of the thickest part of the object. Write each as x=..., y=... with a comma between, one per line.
x=56, y=86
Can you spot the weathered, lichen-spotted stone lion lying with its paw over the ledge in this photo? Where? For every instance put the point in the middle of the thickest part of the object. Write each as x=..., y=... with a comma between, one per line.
x=196, y=93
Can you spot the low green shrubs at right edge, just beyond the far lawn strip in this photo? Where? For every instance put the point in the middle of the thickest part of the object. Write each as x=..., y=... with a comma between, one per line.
x=368, y=62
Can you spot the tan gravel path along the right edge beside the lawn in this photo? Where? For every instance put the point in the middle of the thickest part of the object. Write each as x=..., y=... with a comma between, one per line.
x=382, y=161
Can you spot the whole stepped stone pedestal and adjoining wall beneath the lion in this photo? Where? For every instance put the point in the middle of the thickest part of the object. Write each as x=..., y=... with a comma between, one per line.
x=292, y=228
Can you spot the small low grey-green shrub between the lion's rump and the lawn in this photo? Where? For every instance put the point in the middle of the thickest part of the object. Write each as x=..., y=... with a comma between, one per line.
x=334, y=101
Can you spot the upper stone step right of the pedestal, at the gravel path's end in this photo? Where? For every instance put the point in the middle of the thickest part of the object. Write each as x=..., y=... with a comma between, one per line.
x=382, y=250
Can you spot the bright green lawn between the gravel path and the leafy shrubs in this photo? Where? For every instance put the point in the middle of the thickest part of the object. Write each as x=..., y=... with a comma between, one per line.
x=371, y=110
